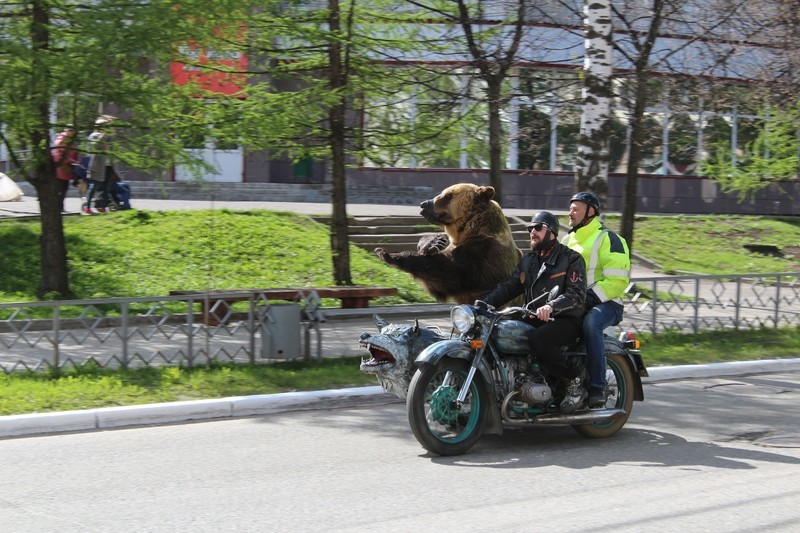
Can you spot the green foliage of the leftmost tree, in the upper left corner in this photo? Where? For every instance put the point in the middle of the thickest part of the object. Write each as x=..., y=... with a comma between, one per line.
x=87, y=59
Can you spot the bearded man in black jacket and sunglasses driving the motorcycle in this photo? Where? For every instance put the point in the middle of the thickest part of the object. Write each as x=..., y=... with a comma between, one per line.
x=558, y=322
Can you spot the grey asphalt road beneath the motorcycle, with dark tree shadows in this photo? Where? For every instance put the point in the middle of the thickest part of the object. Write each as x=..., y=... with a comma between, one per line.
x=716, y=454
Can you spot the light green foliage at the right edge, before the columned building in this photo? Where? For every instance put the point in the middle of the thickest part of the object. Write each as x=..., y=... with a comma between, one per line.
x=773, y=156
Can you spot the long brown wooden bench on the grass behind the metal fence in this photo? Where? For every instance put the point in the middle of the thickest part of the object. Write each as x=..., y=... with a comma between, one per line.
x=216, y=303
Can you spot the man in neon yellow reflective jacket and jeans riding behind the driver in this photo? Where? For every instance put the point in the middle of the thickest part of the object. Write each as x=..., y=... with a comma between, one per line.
x=608, y=268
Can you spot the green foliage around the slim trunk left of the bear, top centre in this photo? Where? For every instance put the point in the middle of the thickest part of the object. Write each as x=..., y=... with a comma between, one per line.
x=372, y=38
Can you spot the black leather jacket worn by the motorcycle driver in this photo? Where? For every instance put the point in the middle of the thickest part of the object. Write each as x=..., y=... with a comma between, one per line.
x=536, y=275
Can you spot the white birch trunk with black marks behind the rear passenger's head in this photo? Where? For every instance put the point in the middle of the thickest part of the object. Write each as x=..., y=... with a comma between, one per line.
x=593, y=152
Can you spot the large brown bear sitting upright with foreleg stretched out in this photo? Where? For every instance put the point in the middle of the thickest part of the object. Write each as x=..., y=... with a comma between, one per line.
x=476, y=252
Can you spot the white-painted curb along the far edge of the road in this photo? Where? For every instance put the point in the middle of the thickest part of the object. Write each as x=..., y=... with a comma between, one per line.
x=263, y=404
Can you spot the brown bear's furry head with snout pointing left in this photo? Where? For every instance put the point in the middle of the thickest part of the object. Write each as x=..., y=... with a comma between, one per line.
x=459, y=208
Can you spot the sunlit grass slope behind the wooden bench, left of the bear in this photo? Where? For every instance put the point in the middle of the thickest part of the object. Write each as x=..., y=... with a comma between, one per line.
x=146, y=253
